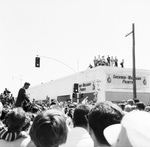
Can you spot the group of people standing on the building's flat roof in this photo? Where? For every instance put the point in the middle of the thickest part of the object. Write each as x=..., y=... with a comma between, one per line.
x=109, y=61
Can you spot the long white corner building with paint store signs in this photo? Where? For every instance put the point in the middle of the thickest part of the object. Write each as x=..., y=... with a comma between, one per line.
x=101, y=82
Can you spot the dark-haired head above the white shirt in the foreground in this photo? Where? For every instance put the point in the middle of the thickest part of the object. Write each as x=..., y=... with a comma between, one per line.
x=79, y=115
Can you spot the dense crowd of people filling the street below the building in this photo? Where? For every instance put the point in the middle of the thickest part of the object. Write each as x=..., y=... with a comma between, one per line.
x=52, y=124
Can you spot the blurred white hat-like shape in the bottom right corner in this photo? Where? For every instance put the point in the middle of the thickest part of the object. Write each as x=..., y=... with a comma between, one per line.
x=134, y=130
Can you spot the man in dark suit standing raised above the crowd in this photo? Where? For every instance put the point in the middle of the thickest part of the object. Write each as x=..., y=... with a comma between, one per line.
x=22, y=95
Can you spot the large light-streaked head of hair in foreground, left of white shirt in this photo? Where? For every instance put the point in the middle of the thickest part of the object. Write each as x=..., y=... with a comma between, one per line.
x=49, y=129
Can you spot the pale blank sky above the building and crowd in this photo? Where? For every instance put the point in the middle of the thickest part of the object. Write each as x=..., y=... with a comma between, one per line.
x=67, y=34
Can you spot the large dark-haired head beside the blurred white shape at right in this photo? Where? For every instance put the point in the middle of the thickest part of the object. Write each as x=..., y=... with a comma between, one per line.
x=101, y=116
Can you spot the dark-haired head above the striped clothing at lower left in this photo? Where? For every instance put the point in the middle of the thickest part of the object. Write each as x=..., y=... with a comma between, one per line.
x=15, y=119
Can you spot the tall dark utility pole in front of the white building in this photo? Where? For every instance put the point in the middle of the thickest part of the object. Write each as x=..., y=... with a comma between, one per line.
x=133, y=60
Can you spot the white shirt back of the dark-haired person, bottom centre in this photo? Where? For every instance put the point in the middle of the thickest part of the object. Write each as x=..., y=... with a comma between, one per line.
x=78, y=137
